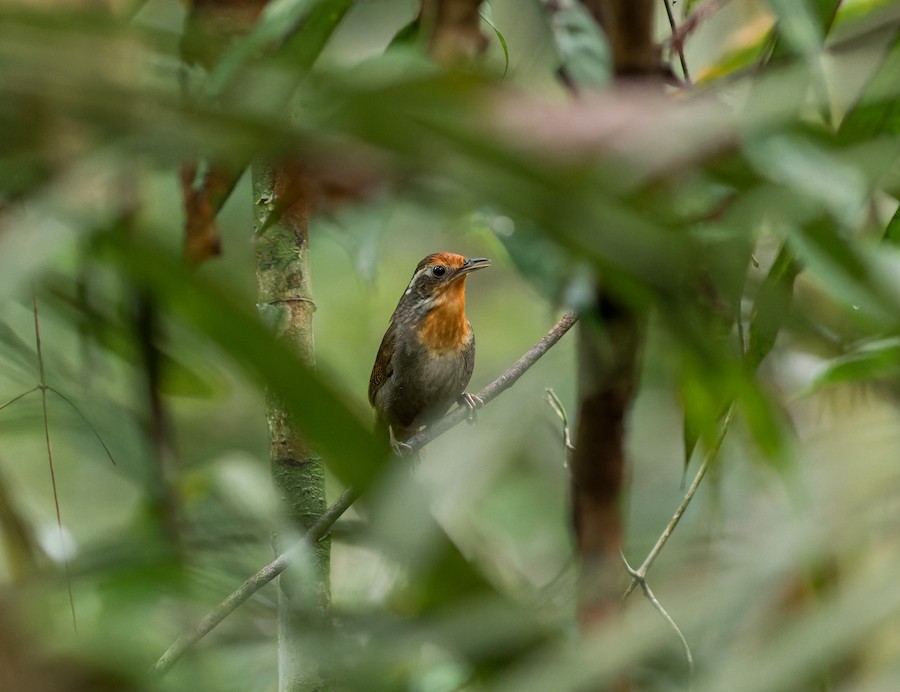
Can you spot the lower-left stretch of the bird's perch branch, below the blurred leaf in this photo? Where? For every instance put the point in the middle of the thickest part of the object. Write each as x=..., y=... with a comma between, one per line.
x=254, y=583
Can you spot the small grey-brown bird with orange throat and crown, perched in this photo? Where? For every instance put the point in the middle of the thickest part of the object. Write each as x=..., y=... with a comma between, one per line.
x=428, y=352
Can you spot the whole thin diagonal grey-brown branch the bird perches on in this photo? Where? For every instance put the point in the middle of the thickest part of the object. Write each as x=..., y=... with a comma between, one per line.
x=331, y=515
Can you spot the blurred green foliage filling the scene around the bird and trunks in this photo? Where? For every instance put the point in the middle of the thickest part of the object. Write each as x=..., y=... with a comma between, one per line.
x=773, y=195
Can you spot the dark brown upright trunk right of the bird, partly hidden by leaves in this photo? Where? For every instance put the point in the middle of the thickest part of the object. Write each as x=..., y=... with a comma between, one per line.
x=609, y=347
